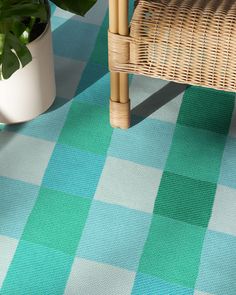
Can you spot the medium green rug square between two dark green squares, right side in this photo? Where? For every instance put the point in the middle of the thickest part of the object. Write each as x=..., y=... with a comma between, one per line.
x=196, y=153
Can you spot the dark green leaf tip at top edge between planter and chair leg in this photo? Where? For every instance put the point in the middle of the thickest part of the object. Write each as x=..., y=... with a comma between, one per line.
x=79, y=7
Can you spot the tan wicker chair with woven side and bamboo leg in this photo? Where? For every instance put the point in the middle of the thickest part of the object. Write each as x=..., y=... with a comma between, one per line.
x=186, y=41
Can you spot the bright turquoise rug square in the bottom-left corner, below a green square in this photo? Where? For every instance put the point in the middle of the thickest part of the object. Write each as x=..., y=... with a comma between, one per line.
x=37, y=270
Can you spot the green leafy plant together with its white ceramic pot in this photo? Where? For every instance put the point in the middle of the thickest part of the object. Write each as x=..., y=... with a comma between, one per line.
x=27, y=83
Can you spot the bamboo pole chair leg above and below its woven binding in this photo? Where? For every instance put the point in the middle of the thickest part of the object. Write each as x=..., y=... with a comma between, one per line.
x=119, y=101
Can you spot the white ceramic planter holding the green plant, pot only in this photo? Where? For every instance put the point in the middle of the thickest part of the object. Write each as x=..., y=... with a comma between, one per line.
x=31, y=90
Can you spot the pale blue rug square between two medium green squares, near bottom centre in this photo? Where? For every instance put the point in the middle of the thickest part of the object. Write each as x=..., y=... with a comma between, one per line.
x=114, y=235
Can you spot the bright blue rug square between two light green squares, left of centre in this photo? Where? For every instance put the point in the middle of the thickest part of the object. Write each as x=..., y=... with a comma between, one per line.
x=73, y=171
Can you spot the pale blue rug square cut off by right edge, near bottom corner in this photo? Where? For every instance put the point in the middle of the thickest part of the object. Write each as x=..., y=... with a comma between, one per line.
x=217, y=270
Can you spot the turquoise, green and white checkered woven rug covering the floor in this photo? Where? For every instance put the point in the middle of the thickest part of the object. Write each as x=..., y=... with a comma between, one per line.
x=87, y=210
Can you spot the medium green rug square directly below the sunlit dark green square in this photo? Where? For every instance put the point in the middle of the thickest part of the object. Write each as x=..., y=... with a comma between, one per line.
x=172, y=251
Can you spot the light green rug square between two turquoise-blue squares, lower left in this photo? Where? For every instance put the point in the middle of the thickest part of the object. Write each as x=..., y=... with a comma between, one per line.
x=57, y=220
